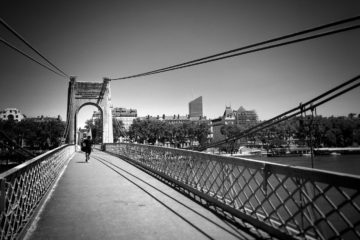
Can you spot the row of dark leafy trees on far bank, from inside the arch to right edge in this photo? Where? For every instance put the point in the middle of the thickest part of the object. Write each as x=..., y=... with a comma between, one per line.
x=325, y=132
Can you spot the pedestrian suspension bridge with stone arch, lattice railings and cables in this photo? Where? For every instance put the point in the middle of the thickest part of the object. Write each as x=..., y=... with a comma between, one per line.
x=136, y=191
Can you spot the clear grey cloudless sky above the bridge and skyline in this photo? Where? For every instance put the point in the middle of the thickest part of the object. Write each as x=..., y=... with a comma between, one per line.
x=96, y=39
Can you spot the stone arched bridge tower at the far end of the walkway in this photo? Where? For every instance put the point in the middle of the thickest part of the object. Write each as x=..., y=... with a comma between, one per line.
x=97, y=94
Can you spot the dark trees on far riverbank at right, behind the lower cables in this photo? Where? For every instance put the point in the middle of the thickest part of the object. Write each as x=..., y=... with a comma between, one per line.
x=322, y=131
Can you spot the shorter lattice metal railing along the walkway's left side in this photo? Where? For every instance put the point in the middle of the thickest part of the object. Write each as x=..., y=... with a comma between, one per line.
x=23, y=187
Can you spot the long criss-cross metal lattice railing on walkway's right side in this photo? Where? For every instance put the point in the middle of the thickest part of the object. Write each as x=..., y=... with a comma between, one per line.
x=286, y=202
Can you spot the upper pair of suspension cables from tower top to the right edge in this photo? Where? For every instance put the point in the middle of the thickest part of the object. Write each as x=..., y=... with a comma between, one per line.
x=212, y=57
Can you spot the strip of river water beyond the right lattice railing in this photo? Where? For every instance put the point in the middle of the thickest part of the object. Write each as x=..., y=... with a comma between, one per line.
x=349, y=163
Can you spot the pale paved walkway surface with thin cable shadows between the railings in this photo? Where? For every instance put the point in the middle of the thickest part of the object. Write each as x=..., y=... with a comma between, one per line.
x=107, y=198
